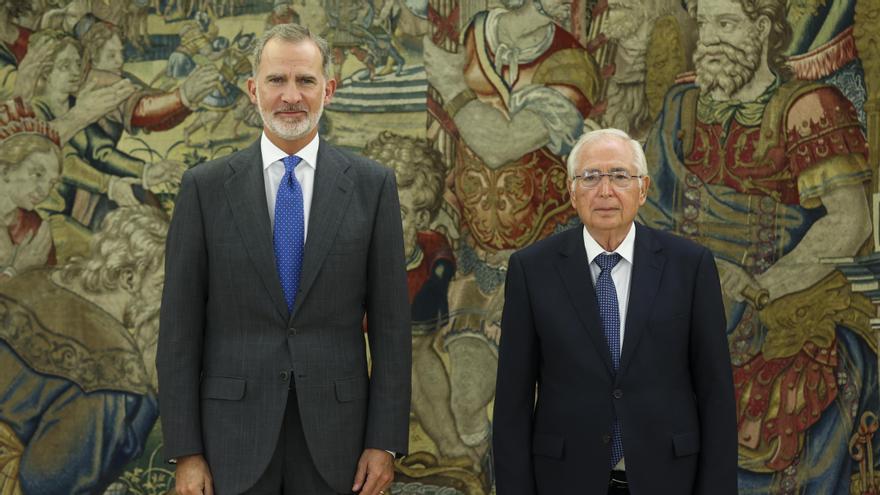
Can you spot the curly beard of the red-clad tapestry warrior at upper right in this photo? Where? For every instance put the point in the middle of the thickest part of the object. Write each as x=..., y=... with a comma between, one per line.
x=737, y=68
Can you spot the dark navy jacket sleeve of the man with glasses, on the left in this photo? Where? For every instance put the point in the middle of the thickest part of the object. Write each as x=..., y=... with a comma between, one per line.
x=518, y=358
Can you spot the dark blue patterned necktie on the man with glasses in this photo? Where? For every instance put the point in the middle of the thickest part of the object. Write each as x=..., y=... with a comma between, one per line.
x=609, y=312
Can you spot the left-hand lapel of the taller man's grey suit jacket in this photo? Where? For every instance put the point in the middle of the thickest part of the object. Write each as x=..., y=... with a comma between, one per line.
x=246, y=192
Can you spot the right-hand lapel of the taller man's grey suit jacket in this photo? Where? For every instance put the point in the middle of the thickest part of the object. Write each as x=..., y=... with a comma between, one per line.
x=330, y=199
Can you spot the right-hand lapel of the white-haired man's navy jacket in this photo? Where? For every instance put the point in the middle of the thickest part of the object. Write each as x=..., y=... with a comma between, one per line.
x=644, y=283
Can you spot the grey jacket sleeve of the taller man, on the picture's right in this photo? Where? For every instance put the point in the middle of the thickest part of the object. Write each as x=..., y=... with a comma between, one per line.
x=389, y=336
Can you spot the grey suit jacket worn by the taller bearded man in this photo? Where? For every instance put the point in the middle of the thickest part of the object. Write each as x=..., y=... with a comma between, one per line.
x=228, y=348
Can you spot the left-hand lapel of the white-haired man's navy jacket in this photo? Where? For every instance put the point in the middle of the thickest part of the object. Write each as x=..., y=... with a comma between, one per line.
x=574, y=270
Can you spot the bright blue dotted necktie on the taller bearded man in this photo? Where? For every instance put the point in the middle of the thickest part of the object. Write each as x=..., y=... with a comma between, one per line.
x=289, y=232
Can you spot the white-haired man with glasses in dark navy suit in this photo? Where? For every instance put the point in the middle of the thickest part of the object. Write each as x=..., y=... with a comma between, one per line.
x=621, y=329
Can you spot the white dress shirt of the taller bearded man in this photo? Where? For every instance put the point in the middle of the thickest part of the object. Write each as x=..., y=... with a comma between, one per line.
x=273, y=172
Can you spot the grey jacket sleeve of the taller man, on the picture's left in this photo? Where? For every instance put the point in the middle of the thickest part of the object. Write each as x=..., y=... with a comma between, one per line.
x=182, y=324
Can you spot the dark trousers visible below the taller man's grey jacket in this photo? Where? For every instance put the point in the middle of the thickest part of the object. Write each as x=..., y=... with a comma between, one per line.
x=291, y=470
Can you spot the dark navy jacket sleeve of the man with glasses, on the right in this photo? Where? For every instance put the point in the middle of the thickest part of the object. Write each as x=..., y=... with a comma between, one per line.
x=712, y=377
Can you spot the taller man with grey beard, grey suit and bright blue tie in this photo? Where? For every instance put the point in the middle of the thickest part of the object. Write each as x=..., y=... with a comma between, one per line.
x=275, y=254
